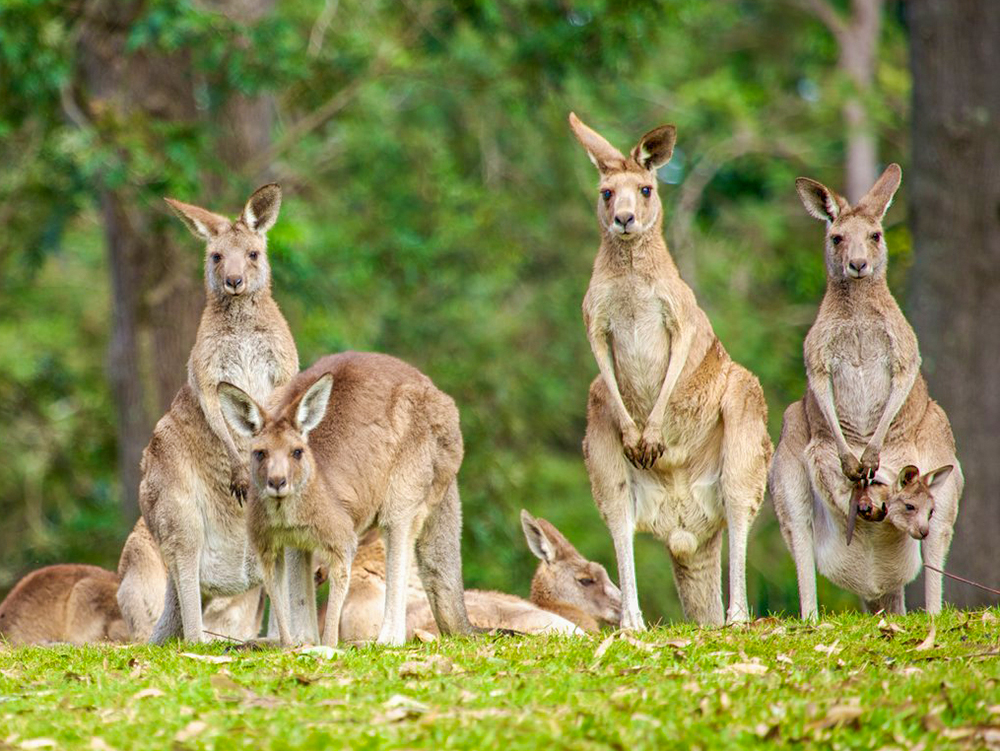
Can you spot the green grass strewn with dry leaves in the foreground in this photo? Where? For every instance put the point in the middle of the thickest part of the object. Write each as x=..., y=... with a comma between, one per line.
x=853, y=681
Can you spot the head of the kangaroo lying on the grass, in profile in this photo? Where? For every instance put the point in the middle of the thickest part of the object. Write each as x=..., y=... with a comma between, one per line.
x=566, y=576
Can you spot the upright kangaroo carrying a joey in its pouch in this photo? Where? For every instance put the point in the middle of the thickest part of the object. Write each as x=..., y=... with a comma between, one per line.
x=866, y=406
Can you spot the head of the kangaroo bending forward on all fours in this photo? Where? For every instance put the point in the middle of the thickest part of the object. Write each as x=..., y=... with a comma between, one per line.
x=282, y=462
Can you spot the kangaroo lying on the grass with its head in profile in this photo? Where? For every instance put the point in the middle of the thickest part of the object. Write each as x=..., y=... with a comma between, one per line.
x=569, y=594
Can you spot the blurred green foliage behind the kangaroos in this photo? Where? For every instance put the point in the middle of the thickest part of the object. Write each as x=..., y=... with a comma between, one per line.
x=436, y=208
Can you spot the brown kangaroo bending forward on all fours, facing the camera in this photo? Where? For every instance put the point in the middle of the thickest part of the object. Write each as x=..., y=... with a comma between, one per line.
x=387, y=453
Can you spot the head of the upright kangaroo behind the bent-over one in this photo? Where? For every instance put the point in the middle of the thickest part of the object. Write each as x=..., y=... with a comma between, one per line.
x=235, y=251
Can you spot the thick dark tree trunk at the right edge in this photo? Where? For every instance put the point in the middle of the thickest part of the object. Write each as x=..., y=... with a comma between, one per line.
x=955, y=282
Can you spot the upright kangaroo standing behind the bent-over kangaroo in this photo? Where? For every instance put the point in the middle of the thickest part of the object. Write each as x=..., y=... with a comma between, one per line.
x=194, y=472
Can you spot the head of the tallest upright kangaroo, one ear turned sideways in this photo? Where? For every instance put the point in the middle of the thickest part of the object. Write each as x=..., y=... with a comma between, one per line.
x=628, y=205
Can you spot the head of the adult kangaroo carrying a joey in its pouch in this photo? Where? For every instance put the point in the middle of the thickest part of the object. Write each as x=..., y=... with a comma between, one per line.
x=855, y=242
